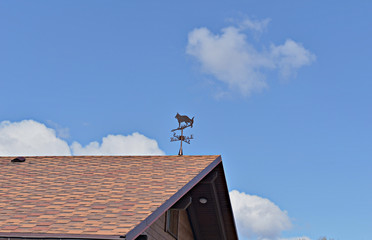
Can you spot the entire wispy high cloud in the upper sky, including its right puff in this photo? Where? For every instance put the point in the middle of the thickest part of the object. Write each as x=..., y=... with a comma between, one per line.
x=233, y=60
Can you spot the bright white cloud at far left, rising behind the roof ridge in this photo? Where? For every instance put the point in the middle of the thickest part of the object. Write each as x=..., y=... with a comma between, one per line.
x=30, y=138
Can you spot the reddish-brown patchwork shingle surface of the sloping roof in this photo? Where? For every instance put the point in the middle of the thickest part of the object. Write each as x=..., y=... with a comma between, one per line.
x=103, y=195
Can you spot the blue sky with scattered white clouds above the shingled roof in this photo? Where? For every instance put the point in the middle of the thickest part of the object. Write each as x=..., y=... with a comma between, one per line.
x=281, y=89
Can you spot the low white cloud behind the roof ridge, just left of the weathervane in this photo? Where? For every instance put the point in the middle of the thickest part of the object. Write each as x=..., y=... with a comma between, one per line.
x=135, y=144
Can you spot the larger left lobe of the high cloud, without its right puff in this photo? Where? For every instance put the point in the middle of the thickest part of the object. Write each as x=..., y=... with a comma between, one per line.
x=229, y=58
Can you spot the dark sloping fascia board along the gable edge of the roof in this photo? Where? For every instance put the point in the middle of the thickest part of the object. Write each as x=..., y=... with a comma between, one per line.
x=140, y=228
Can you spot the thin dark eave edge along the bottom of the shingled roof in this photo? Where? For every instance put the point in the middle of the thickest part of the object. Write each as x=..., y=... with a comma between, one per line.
x=56, y=236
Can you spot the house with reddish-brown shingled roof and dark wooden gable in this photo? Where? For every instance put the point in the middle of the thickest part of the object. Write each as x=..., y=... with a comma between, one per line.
x=115, y=197
